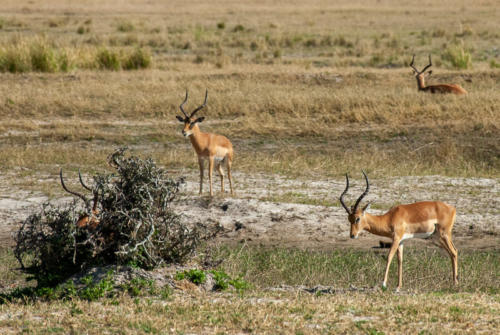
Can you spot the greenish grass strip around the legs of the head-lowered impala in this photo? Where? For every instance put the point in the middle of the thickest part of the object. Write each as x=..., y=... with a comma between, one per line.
x=424, y=269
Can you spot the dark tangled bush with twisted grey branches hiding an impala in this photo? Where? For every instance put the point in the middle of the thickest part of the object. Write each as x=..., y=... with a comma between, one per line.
x=136, y=225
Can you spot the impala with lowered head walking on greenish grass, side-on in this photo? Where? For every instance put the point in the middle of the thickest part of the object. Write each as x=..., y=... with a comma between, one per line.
x=417, y=220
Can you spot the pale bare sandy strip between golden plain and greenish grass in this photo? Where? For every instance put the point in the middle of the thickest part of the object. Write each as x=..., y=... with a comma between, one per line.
x=250, y=218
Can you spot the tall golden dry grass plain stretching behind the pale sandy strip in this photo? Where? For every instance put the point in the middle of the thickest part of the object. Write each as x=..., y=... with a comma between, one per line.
x=316, y=89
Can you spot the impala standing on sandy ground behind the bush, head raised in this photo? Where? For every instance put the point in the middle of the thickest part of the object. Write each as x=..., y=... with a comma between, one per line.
x=217, y=149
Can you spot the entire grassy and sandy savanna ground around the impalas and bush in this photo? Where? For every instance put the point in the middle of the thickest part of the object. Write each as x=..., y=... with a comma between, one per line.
x=305, y=91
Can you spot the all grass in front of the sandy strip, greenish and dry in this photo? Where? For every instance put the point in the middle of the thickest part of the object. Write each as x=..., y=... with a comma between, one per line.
x=427, y=303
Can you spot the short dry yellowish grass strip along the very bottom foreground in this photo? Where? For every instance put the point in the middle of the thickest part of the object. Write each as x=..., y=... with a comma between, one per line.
x=263, y=313
